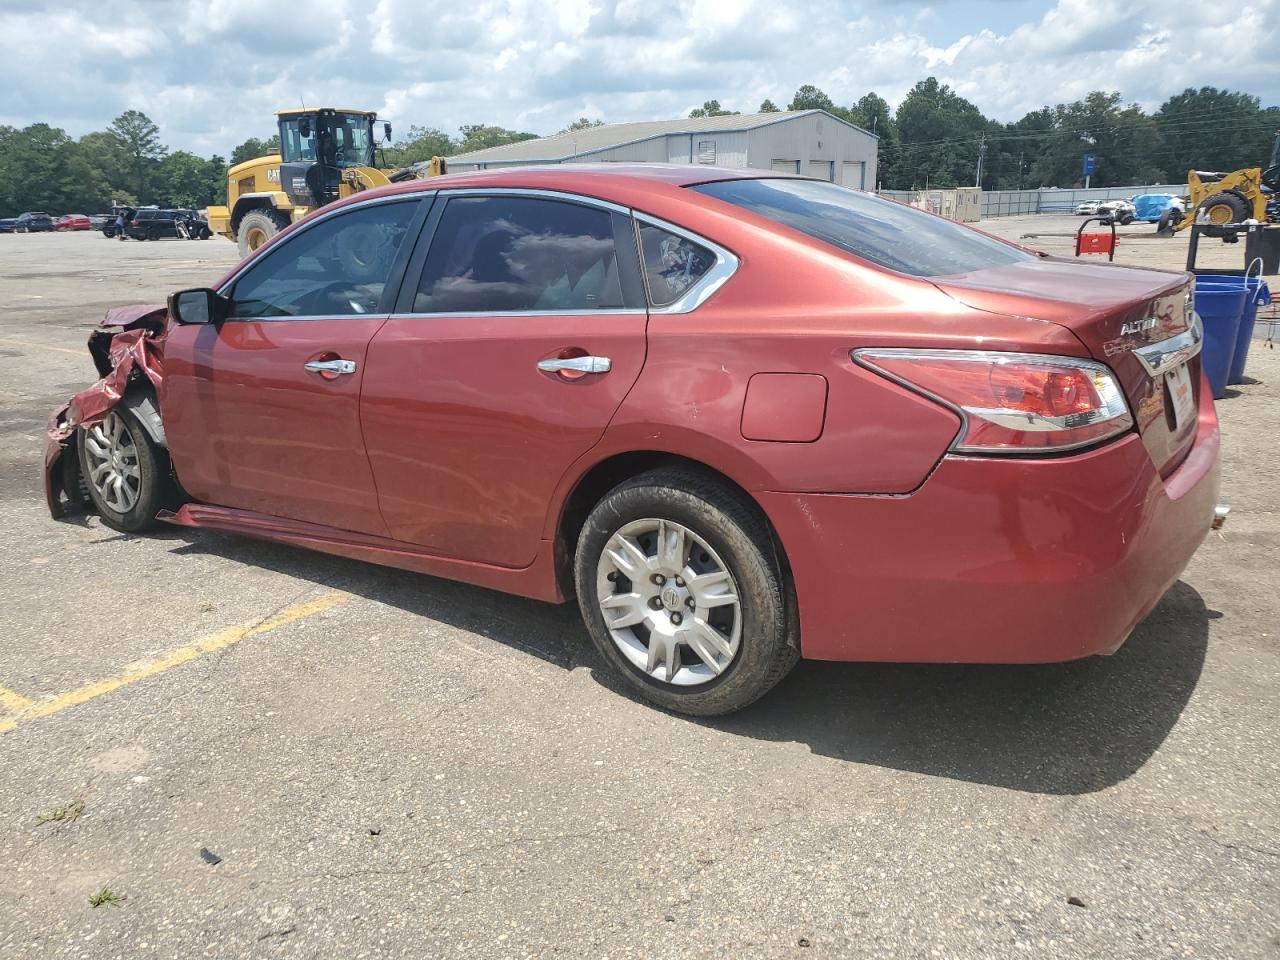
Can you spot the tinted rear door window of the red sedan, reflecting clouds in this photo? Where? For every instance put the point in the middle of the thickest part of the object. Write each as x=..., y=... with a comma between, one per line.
x=493, y=255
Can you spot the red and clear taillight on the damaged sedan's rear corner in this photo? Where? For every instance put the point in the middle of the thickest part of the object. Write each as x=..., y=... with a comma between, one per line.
x=1013, y=403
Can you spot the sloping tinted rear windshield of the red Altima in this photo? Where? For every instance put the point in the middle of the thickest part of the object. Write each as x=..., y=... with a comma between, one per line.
x=889, y=235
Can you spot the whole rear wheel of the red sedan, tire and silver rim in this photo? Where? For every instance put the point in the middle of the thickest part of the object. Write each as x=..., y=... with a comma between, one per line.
x=684, y=596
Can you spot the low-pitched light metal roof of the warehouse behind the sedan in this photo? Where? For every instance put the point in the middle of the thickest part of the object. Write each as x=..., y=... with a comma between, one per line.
x=592, y=140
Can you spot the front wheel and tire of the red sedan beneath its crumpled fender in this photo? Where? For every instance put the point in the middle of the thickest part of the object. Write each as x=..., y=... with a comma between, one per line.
x=125, y=472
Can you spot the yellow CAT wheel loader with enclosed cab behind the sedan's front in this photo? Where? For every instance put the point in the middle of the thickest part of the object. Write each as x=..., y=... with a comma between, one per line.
x=326, y=154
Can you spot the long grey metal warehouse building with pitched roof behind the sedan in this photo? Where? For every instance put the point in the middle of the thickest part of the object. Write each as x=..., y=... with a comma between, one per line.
x=812, y=143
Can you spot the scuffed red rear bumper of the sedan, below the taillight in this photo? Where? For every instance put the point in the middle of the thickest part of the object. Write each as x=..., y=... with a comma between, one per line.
x=999, y=561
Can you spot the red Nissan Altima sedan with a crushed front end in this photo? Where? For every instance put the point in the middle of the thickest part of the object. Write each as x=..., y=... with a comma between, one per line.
x=740, y=418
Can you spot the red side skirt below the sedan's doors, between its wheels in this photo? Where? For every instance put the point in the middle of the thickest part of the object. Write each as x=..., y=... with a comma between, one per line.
x=537, y=582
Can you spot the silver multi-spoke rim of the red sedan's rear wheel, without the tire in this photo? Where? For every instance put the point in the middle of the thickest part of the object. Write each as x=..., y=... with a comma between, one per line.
x=670, y=602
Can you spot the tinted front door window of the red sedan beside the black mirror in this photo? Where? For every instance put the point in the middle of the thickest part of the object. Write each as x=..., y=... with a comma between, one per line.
x=337, y=268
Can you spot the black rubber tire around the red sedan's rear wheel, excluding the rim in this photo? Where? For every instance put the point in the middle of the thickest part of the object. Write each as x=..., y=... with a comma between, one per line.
x=735, y=531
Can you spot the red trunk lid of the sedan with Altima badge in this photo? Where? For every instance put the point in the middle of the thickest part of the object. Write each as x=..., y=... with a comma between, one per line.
x=1113, y=312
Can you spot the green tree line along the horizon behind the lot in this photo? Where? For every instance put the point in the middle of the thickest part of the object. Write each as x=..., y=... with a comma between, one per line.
x=934, y=139
